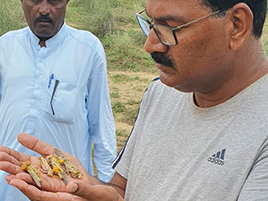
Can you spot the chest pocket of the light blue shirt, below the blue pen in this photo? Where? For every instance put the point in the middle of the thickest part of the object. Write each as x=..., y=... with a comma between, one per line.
x=61, y=102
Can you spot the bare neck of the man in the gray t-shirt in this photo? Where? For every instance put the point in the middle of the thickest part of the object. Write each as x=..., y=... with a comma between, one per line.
x=251, y=69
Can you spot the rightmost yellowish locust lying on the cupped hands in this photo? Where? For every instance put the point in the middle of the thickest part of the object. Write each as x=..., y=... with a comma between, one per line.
x=70, y=168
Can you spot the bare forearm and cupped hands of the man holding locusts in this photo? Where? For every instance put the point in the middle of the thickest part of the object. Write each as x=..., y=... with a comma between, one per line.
x=87, y=188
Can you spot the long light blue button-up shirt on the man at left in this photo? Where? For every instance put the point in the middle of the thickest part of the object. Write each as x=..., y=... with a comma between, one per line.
x=78, y=113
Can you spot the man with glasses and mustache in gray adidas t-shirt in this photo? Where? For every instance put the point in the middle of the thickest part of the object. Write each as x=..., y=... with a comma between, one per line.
x=209, y=144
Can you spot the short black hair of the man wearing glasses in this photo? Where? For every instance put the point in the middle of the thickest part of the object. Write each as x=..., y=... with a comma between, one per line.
x=258, y=8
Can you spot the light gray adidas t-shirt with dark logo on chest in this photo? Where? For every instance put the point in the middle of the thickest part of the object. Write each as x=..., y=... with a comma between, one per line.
x=178, y=151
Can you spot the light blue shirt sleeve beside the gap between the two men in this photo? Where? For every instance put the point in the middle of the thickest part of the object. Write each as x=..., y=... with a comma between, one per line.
x=100, y=119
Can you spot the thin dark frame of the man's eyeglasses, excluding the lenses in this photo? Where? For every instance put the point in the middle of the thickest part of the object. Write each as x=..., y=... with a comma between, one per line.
x=173, y=29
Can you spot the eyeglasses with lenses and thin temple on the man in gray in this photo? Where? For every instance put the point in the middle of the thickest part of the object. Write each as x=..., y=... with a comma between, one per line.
x=166, y=34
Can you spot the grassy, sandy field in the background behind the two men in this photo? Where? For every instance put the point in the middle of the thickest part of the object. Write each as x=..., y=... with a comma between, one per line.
x=130, y=68
